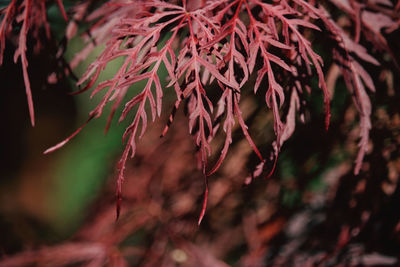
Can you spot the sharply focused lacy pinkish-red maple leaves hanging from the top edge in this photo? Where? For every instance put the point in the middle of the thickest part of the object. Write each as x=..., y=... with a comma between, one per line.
x=228, y=46
